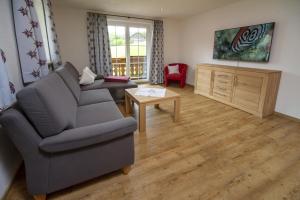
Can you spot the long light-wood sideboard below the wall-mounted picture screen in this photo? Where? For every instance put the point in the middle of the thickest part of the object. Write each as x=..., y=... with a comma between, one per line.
x=249, y=89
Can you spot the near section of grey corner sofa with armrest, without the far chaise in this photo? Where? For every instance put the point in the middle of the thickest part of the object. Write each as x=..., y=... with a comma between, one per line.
x=67, y=136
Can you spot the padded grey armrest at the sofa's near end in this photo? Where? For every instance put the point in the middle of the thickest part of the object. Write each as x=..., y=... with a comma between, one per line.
x=88, y=135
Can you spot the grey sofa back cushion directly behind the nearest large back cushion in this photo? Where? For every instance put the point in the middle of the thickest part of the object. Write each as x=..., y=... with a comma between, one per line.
x=70, y=81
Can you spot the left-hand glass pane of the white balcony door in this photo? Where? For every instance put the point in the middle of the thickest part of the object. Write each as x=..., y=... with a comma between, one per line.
x=117, y=39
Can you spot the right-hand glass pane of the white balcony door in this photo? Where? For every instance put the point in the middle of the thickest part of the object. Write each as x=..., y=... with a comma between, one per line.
x=138, y=52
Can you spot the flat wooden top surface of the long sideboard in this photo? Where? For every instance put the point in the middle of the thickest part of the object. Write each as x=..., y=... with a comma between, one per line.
x=232, y=68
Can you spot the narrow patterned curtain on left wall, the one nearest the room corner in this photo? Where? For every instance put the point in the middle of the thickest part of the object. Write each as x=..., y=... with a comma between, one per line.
x=52, y=36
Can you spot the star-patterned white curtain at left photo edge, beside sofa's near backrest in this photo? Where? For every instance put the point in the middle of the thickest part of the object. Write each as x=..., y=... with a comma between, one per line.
x=7, y=91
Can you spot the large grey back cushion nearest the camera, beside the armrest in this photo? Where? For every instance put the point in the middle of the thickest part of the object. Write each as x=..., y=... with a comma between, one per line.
x=49, y=105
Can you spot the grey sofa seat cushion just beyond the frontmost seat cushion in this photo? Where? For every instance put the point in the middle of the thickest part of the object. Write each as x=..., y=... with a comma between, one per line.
x=94, y=96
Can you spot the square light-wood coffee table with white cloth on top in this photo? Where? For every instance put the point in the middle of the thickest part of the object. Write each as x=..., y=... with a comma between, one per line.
x=143, y=101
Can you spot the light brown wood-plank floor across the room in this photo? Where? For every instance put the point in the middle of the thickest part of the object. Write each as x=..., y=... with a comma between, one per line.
x=214, y=152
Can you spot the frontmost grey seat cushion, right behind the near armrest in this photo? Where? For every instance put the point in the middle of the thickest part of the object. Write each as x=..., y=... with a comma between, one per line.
x=97, y=113
